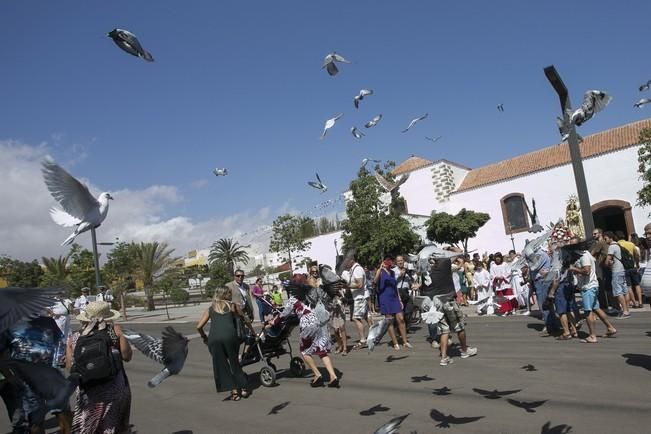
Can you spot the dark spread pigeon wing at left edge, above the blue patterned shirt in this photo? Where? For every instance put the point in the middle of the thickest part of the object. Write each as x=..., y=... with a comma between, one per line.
x=22, y=303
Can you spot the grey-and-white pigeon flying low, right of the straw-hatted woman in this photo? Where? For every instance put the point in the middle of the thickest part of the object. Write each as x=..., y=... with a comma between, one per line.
x=170, y=351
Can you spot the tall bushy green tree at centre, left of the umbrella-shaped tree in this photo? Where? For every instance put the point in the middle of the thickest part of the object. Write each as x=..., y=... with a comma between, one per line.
x=374, y=228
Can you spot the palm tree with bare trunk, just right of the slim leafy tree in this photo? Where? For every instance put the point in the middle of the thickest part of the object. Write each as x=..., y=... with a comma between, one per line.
x=152, y=259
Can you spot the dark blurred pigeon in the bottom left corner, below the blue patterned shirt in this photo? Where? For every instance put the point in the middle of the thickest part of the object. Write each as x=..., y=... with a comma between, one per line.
x=50, y=388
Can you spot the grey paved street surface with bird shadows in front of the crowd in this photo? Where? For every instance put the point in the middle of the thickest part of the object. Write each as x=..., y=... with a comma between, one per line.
x=598, y=388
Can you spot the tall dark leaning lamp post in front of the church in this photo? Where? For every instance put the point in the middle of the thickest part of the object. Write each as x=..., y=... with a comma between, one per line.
x=575, y=151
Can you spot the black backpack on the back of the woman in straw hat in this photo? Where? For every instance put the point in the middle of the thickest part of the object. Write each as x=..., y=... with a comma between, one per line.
x=94, y=358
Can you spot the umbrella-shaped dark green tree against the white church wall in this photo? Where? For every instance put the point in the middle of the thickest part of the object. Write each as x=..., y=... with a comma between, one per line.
x=454, y=229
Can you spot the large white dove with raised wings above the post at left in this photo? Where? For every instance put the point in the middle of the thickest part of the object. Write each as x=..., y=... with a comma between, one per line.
x=80, y=208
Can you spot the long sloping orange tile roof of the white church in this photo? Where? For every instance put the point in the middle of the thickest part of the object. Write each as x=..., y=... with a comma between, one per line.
x=554, y=156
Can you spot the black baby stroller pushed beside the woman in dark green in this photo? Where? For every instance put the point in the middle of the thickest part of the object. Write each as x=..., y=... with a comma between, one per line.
x=272, y=343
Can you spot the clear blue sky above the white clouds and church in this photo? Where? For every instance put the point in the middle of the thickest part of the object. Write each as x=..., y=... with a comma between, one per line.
x=239, y=84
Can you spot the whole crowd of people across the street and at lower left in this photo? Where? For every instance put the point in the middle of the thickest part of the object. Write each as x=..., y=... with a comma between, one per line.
x=604, y=274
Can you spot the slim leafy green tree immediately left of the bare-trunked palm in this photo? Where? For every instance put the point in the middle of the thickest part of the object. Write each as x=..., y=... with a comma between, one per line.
x=120, y=271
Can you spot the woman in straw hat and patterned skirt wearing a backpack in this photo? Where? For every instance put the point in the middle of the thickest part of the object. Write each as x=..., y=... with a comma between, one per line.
x=104, y=406
